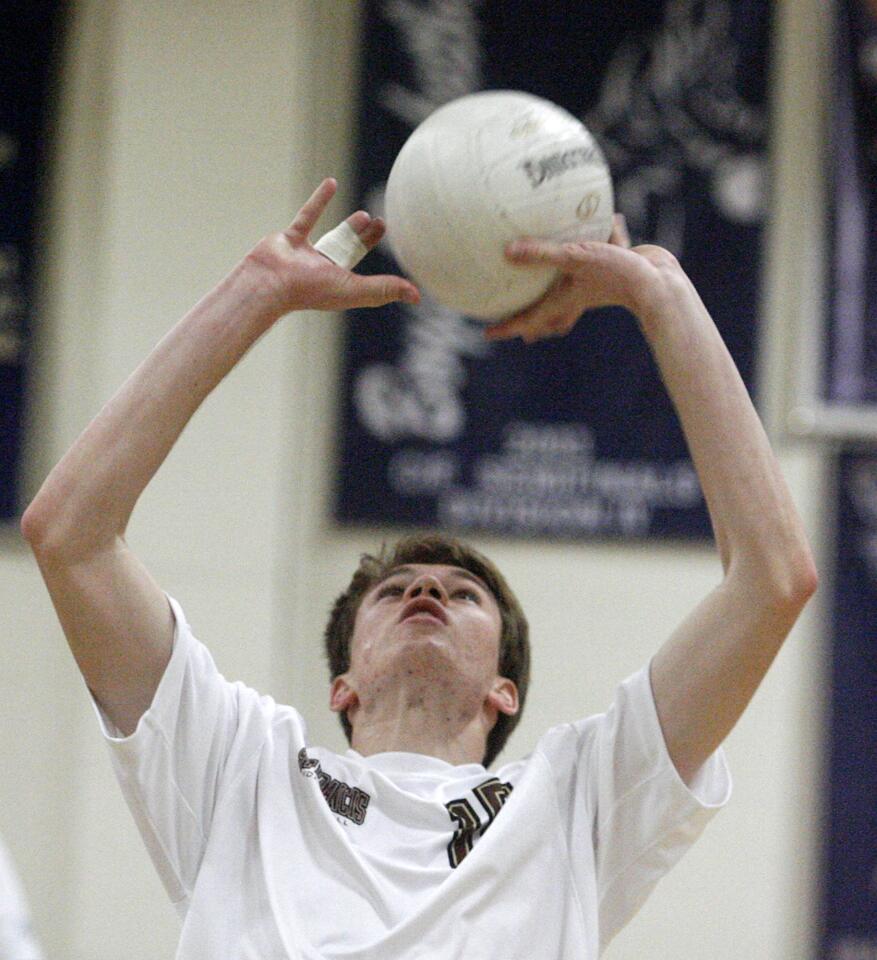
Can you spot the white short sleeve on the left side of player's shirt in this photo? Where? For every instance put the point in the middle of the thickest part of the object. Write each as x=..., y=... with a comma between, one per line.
x=199, y=731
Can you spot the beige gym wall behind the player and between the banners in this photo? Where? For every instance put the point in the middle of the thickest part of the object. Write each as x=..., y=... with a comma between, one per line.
x=190, y=129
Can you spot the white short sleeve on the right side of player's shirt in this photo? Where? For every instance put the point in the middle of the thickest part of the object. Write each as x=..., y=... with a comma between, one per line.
x=630, y=816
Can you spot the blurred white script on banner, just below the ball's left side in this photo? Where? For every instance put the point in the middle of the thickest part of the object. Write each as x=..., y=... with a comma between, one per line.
x=421, y=396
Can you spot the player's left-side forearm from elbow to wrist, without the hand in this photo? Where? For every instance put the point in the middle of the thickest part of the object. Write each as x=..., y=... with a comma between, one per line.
x=86, y=501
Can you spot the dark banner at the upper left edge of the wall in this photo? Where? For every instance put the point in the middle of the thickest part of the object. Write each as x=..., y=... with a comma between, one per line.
x=28, y=39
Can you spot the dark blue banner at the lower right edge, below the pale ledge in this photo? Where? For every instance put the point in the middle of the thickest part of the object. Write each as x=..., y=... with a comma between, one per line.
x=850, y=931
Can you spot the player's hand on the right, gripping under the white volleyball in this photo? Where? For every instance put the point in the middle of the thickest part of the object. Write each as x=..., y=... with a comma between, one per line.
x=591, y=274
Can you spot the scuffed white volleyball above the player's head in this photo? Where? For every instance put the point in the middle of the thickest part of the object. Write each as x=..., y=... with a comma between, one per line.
x=481, y=171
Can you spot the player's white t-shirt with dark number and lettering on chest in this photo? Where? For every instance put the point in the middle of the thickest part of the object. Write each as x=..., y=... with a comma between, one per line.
x=273, y=848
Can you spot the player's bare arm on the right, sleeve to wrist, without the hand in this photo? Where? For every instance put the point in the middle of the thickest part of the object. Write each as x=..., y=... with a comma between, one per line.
x=707, y=672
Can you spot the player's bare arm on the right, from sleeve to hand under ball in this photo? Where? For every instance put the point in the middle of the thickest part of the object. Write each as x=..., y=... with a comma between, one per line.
x=706, y=673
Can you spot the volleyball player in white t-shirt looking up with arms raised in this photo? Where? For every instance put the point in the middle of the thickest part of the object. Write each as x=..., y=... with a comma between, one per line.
x=406, y=846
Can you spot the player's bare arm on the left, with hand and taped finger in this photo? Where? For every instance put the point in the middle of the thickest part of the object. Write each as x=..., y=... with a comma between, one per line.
x=116, y=619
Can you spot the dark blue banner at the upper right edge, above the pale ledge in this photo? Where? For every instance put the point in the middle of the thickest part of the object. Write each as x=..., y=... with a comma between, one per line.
x=849, y=375
